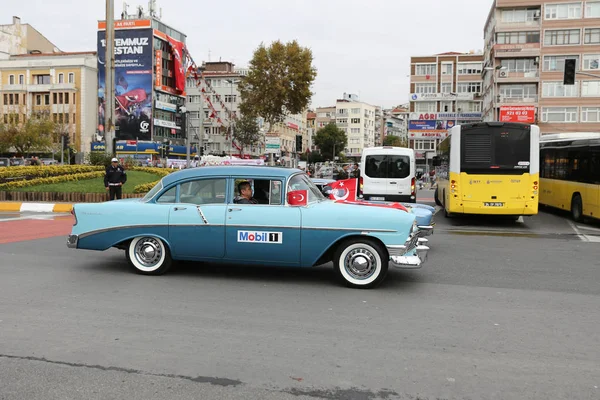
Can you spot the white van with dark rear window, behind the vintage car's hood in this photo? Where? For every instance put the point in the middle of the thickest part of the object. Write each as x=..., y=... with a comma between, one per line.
x=388, y=174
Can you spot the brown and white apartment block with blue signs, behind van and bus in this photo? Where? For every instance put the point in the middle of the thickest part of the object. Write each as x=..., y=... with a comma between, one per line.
x=446, y=89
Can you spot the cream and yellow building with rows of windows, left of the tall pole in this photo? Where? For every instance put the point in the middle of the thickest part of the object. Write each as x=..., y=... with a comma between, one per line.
x=62, y=86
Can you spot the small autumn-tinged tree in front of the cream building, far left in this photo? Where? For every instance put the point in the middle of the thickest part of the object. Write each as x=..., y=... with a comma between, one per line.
x=35, y=134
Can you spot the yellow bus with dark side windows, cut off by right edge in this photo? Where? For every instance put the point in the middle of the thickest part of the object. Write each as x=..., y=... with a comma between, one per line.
x=570, y=173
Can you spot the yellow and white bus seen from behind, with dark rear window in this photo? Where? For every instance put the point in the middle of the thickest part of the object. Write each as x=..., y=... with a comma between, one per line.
x=489, y=168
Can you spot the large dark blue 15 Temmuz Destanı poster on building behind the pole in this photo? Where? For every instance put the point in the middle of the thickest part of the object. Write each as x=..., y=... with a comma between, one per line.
x=133, y=83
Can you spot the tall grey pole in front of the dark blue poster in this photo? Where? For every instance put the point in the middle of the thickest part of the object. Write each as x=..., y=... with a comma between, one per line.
x=109, y=93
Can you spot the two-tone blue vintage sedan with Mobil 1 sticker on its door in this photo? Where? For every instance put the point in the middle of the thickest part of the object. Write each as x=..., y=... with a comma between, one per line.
x=193, y=215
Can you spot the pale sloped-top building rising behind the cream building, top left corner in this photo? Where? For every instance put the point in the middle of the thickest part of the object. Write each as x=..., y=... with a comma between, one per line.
x=18, y=38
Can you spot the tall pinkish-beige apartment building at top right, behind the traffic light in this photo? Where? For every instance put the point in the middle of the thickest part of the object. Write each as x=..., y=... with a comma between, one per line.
x=526, y=44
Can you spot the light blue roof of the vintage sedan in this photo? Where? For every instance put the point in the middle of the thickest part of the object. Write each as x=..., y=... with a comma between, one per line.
x=256, y=171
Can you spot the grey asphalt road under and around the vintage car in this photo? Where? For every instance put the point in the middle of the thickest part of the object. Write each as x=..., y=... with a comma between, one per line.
x=502, y=310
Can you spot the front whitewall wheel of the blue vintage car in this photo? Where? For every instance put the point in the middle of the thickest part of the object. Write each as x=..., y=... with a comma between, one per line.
x=361, y=263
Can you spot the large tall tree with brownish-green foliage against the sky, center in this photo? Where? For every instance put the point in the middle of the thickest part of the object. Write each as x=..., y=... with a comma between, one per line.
x=278, y=82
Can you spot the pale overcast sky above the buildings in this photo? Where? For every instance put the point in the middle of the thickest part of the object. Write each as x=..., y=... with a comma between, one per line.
x=361, y=47
